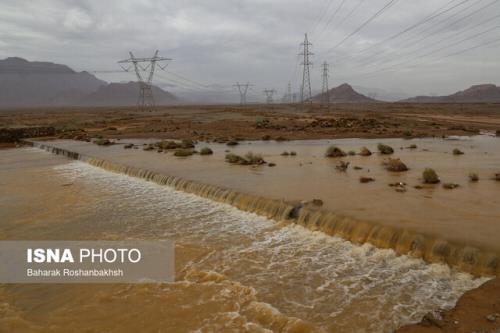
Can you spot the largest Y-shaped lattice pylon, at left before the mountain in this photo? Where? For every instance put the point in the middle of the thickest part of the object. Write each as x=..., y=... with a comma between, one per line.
x=146, y=100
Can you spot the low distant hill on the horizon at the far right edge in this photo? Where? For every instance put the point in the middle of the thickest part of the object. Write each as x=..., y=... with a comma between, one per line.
x=484, y=93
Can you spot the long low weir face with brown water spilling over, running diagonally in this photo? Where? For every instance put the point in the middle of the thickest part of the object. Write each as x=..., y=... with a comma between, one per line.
x=432, y=249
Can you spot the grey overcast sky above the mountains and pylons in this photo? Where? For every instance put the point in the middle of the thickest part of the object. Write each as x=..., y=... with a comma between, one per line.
x=223, y=41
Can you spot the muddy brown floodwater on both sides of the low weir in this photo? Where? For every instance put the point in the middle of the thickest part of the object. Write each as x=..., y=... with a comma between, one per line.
x=236, y=271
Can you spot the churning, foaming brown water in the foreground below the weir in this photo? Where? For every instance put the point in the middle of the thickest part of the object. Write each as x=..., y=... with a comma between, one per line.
x=235, y=271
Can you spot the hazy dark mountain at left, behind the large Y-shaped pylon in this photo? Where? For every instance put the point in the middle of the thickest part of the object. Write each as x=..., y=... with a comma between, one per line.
x=31, y=84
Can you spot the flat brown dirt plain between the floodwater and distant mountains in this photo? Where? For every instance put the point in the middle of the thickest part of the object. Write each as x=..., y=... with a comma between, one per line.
x=258, y=121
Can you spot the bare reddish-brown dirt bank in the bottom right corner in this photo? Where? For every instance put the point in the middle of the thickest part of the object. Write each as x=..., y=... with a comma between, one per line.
x=476, y=311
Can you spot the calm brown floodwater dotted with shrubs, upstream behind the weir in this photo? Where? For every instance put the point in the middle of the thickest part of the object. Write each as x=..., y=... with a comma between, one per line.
x=469, y=214
